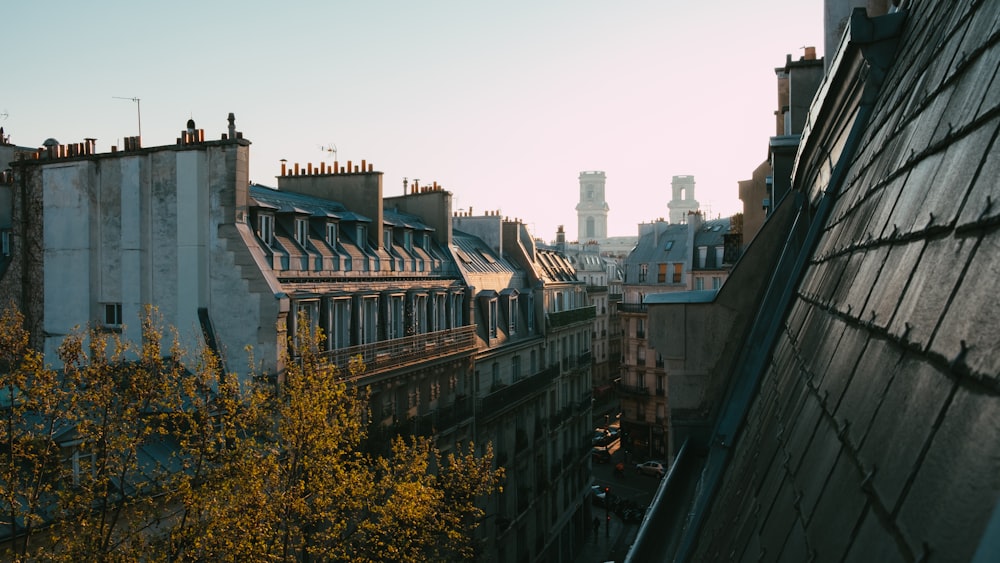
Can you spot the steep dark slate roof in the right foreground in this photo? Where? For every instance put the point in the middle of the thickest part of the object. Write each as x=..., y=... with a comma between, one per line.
x=872, y=432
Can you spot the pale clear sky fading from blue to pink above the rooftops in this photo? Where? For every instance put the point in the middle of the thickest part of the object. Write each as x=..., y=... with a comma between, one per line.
x=501, y=103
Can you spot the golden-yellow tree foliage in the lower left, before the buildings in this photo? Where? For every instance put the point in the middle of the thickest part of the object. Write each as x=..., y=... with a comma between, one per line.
x=143, y=452
